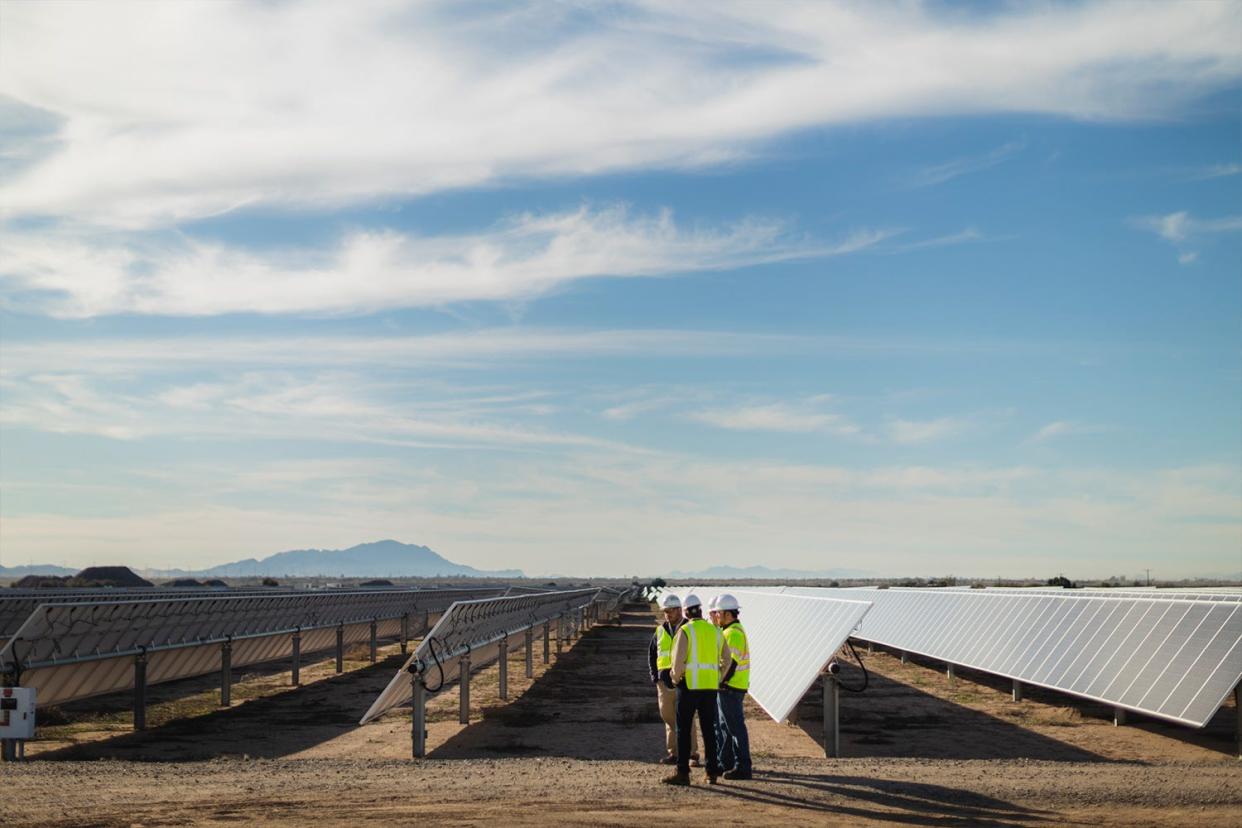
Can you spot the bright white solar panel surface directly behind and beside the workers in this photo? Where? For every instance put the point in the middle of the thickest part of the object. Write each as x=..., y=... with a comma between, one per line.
x=792, y=640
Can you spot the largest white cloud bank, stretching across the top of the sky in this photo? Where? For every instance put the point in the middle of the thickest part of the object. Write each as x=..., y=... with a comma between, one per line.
x=179, y=111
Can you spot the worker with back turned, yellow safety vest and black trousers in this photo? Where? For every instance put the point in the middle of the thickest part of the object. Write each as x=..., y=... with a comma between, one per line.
x=700, y=660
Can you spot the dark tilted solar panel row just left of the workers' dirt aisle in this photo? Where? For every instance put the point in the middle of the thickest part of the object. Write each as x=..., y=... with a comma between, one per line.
x=475, y=629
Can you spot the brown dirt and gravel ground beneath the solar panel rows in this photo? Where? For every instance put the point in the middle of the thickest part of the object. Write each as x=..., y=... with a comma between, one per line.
x=577, y=745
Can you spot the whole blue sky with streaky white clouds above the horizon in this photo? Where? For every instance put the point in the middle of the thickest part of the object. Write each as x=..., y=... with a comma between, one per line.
x=624, y=289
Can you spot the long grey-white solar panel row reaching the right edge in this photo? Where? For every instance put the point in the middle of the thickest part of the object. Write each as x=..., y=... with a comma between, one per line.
x=1166, y=656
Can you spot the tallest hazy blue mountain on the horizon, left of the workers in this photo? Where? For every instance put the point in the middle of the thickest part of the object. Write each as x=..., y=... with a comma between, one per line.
x=381, y=559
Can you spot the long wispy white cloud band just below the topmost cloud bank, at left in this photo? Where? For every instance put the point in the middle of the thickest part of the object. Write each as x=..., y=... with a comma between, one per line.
x=526, y=258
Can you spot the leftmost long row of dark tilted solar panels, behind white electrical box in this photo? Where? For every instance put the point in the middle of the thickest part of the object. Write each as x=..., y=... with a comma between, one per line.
x=83, y=649
